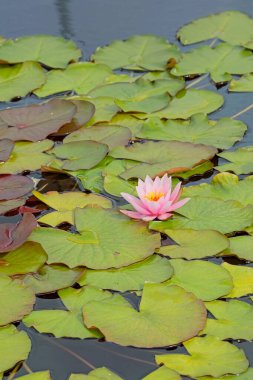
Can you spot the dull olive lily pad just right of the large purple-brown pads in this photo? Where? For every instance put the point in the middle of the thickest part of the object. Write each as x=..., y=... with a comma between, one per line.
x=111, y=135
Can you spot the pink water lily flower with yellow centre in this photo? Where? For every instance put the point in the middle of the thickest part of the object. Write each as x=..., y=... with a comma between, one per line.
x=156, y=199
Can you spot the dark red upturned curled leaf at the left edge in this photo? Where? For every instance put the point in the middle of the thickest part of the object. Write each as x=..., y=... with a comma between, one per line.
x=13, y=235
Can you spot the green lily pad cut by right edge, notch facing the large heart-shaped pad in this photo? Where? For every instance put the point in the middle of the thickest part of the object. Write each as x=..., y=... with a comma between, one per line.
x=233, y=319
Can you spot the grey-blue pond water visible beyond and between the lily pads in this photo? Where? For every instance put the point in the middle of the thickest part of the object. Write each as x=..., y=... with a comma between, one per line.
x=92, y=23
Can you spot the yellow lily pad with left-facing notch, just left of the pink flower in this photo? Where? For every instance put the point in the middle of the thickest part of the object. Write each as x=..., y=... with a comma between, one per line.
x=66, y=203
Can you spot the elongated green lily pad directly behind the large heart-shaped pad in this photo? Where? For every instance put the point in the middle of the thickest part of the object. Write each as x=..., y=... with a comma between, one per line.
x=132, y=277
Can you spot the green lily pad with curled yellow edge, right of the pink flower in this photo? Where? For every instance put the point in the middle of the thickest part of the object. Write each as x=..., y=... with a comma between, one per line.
x=225, y=186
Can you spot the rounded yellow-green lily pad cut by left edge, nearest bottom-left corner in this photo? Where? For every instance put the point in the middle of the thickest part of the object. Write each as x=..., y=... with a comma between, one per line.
x=14, y=346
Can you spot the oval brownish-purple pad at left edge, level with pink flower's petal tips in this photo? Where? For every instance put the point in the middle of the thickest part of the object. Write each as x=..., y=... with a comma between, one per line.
x=14, y=186
